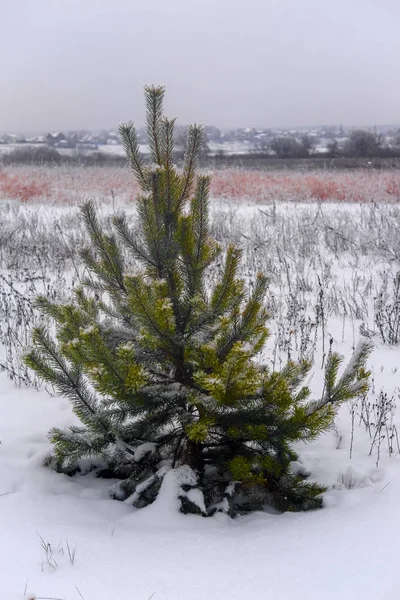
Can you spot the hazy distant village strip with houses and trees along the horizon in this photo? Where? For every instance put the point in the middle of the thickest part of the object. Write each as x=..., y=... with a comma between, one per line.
x=282, y=143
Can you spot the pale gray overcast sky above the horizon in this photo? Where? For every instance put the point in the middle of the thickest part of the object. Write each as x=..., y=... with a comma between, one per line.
x=67, y=64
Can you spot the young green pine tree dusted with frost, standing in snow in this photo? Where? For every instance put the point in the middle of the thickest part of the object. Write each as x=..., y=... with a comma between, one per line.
x=158, y=363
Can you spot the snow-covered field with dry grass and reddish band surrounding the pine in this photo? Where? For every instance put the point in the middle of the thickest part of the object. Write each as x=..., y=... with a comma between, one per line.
x=333, y=268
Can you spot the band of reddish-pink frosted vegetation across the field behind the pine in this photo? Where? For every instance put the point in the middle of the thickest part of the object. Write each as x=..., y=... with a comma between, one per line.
x=69, y=185
